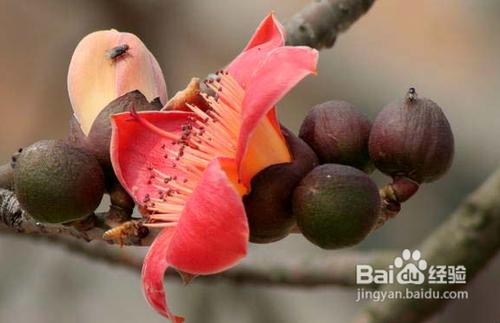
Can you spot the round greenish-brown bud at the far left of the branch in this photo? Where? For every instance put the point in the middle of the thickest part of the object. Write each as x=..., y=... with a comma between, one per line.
x=56, y=182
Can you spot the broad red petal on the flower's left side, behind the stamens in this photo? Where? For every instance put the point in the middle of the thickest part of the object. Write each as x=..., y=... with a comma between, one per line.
x=135, y=148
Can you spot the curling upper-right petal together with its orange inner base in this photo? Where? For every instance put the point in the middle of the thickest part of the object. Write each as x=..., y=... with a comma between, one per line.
x=283, y=68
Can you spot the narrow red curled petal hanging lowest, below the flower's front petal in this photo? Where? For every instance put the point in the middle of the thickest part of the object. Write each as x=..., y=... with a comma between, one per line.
x=153, y=272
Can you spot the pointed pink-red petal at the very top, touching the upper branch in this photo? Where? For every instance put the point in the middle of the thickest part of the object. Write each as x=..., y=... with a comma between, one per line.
x=268, y=36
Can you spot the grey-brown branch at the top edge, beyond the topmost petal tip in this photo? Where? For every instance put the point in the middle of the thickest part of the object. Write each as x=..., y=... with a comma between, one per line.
x=319, y=23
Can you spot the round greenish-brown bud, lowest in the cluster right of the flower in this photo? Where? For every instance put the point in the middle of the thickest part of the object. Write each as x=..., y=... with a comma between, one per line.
x=336, y=206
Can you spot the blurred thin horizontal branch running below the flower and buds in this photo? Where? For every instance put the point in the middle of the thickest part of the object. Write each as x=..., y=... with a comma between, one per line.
x=306, y=272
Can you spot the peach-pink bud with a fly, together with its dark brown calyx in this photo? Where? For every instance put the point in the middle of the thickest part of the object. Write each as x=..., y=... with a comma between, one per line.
x=110, y=72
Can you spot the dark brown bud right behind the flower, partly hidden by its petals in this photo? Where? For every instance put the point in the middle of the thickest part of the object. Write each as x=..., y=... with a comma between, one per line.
x=268, y=206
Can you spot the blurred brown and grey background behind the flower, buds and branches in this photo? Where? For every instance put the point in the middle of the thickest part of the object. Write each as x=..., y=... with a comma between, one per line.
x=448, y=49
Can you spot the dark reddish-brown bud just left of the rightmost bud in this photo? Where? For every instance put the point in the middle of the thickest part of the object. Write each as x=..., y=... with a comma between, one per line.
x=338, y=133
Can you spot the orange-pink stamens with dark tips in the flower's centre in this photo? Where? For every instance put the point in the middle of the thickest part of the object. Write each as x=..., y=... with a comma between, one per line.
x=212, y=133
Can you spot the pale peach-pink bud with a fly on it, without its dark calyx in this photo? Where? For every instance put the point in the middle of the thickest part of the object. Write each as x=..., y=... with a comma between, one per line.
x=107, y=64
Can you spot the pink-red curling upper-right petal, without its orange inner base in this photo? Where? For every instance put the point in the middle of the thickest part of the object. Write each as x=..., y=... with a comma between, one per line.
x=281, y=71
